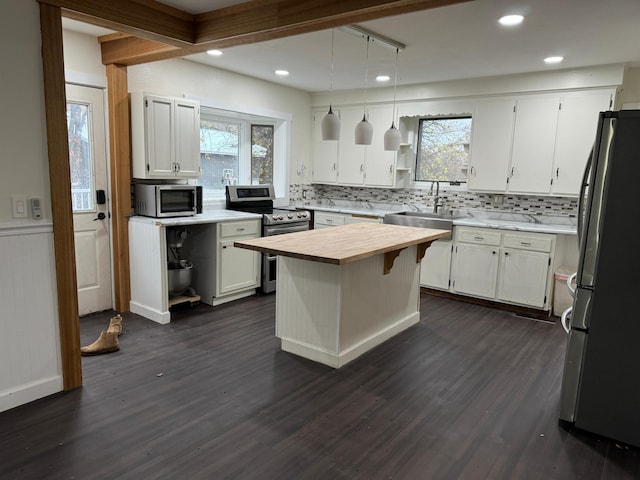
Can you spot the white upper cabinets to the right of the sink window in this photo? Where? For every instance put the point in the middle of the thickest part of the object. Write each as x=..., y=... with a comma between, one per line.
x=536, y=144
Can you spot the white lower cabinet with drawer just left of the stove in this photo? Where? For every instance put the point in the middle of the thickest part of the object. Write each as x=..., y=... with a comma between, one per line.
x=238, y=269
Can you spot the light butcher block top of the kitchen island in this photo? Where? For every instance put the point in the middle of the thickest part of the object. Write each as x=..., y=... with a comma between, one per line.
x=345, y=243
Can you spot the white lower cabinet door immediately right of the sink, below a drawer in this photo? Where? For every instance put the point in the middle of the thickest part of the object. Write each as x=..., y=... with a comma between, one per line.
x=475, y=270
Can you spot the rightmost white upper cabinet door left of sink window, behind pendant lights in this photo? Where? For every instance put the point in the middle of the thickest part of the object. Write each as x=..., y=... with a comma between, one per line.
x=380, y=167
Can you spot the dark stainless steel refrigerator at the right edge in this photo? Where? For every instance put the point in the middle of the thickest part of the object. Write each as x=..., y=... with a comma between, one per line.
x=601, y=380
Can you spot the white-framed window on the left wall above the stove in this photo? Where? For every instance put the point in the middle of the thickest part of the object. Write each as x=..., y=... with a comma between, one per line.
x=234, y=151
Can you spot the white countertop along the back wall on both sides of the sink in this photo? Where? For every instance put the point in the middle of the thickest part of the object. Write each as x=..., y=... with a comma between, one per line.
x=483, y=219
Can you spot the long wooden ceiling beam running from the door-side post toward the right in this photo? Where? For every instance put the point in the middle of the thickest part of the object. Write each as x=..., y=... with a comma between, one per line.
x=256, y=21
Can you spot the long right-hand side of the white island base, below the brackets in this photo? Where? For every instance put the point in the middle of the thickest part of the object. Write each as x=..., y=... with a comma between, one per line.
x=375, y=306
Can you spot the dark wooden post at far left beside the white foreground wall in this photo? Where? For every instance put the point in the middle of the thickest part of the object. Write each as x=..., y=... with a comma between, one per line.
x=60, y=181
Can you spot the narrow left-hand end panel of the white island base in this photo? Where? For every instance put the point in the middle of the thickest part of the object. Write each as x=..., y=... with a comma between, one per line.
x=307, y=308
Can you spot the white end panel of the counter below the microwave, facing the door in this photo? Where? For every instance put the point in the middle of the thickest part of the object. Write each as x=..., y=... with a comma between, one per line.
x=148, y=267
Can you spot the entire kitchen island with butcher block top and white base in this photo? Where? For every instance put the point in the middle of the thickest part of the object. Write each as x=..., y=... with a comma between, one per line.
x=342, y=291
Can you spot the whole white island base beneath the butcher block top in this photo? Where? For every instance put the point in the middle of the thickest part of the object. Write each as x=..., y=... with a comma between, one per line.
x=333, y=314
